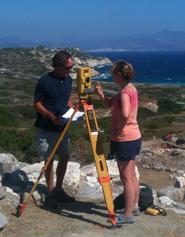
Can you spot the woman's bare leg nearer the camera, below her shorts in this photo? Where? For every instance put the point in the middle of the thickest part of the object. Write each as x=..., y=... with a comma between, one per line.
x=128, y=178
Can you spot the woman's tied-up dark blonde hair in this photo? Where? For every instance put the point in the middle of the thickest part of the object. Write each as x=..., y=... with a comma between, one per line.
x=124, y=68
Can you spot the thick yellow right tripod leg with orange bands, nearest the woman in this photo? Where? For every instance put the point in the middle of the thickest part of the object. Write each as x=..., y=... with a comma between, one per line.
x=101, y=165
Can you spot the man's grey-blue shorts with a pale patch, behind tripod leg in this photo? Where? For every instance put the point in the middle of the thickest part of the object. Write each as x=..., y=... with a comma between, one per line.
x=46, y=141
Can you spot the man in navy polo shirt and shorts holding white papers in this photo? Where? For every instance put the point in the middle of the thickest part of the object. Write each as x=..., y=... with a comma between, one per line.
x=51, y=101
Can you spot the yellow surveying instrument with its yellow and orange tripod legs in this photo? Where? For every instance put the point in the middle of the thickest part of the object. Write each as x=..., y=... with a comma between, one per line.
x=84, y=88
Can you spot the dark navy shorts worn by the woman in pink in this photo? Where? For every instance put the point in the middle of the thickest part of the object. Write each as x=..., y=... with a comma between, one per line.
x=125, y=151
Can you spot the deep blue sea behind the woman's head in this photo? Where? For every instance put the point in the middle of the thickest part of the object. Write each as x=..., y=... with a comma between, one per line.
x=150, y=67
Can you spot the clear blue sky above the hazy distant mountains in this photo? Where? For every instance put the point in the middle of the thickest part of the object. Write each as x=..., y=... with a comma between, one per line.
x=47, y=20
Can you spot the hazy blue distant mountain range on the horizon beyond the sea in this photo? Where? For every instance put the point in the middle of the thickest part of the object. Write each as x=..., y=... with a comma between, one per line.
x=164, y=40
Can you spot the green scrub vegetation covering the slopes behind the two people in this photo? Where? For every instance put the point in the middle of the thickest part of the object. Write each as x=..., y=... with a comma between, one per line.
x=20, y=68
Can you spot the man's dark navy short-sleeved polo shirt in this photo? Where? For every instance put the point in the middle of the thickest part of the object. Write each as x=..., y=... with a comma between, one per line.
x=54, y=93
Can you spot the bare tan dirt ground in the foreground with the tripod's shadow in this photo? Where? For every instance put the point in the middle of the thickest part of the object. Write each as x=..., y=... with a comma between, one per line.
x=89, y=220
